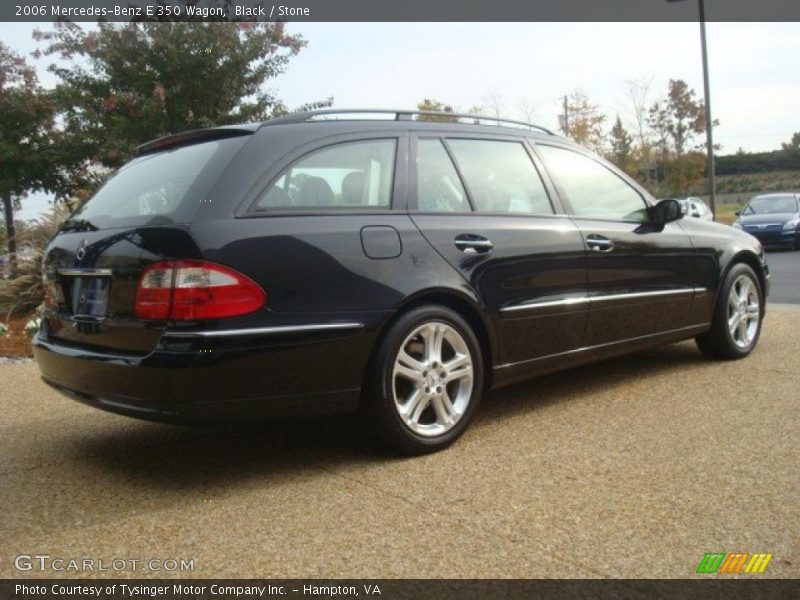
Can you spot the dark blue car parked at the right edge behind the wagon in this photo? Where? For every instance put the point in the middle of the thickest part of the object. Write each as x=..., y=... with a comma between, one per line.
x=772, y=218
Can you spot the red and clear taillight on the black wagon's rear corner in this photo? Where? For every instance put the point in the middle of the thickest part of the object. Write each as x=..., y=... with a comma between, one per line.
x=190, y=290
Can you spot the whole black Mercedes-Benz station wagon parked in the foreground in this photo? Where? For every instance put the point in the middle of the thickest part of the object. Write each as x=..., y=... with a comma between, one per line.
x=392, y=261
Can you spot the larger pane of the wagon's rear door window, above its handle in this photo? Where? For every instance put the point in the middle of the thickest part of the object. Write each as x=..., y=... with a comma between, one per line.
x=501, y=177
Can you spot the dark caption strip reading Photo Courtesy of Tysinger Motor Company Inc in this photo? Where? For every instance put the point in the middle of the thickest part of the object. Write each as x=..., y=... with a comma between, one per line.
x=712, y=588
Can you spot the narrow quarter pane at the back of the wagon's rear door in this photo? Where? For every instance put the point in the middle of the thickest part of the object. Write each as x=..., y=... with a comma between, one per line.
x=439, y=188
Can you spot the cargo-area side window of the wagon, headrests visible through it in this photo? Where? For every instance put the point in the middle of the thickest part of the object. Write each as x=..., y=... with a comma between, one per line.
x=347, y=175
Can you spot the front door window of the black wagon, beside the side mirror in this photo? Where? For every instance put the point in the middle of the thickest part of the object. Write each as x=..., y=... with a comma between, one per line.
x=593, y=190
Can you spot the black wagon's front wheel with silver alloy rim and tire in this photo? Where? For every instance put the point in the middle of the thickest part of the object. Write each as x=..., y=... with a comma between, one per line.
x=738, y=316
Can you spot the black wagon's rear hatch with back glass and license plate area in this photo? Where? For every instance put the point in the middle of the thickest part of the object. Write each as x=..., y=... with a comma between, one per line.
x=140, y=216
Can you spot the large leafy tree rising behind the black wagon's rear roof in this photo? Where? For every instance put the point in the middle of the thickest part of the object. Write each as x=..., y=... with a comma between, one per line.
x=124, y=84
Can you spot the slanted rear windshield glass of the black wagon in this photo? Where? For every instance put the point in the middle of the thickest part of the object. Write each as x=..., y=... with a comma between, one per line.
x=161, y=188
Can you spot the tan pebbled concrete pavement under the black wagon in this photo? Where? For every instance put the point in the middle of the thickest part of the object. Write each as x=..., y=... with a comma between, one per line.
x=630, y=468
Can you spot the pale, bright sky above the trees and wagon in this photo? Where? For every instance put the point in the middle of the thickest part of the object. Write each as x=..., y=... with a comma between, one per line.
x=527, y=68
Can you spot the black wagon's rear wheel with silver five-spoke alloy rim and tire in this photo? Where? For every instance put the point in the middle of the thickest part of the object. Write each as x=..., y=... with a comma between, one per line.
x=408, y=407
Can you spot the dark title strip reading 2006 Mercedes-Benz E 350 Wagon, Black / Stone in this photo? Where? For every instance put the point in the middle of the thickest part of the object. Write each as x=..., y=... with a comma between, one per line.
x=400, y=10
